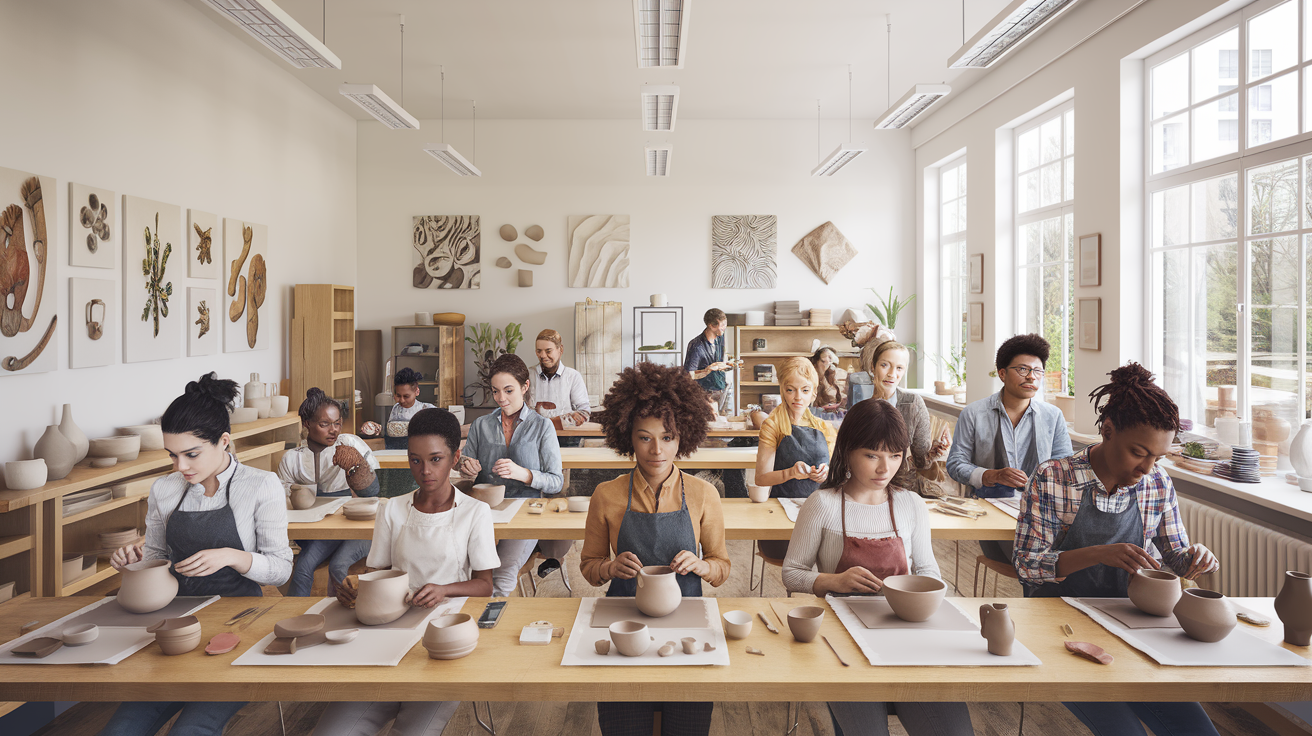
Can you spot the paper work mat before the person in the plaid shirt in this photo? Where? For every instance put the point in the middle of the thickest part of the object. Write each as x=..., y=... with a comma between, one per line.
x=1172, y=647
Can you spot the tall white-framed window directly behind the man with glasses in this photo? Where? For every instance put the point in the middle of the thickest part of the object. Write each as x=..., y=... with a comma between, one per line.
x=1045, y=224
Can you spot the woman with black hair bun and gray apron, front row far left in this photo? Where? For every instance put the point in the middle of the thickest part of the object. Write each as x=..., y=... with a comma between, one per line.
x=221, y=524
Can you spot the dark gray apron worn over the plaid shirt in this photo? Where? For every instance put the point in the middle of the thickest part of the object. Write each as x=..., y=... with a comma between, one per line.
x=1092, y=528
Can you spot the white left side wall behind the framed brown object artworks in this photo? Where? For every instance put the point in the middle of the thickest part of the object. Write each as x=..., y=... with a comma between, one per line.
x=154, y=99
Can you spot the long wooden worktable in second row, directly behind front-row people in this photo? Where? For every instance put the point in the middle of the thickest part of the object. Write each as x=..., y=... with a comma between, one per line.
x=743, y=520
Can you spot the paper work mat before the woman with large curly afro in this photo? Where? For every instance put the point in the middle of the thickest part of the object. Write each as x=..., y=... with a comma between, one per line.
x=582, y=646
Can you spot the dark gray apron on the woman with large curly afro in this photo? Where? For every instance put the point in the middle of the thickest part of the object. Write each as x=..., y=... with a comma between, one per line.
x=657, y=539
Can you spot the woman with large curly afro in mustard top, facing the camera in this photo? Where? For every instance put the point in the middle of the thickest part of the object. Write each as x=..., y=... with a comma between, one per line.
x=655, y=516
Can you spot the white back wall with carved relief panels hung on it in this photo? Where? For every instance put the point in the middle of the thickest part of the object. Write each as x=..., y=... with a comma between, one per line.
x=540, y=173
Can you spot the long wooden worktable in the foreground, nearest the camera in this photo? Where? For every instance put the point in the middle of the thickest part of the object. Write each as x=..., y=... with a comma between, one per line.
x=502, y=670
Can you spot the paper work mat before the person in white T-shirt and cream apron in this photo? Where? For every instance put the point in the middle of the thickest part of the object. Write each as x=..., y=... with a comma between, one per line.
x=373, y=647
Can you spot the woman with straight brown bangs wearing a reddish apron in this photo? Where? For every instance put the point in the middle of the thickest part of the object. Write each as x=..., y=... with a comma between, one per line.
x=857, y=531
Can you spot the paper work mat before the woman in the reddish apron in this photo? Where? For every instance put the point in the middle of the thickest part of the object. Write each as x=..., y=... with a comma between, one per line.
x=911, y=647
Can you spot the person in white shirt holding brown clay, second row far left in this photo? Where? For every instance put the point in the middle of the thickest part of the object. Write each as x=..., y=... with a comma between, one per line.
x=335, y=465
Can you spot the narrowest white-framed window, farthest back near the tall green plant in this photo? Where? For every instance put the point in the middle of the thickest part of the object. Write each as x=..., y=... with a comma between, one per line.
x=952, y=267
